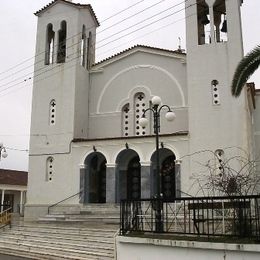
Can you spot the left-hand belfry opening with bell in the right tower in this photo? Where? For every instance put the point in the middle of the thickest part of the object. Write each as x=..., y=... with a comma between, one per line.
x=204, y=36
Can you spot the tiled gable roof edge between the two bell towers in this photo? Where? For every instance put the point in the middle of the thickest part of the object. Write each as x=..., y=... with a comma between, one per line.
x=139, y=47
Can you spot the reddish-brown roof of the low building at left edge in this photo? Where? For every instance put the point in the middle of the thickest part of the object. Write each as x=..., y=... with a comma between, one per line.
x=12, y=177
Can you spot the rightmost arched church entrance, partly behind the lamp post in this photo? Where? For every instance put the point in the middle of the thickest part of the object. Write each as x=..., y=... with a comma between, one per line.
x=167, y=173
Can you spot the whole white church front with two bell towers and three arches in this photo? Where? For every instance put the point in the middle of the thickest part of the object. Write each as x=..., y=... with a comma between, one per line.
x=86, y=139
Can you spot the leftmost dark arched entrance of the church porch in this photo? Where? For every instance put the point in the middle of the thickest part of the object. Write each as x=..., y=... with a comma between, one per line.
x=95, y=178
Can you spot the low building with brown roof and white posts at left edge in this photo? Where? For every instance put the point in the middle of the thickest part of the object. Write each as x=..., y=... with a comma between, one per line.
x=13, y=188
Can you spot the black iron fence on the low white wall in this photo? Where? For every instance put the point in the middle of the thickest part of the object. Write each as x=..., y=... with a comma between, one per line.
x=237, y=216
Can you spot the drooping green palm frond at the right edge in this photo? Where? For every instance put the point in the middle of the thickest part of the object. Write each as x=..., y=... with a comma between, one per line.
x=246, y=67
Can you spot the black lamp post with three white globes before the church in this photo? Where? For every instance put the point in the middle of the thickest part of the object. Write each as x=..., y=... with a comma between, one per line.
x=170, y=116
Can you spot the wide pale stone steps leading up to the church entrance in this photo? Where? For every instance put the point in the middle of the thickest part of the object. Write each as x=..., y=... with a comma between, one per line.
x=73, y=236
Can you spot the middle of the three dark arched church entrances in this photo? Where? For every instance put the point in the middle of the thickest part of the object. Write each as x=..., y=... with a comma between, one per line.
x=128, y=175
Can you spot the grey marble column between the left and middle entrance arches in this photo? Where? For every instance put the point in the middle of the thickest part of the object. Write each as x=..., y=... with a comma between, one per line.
x=111, y=183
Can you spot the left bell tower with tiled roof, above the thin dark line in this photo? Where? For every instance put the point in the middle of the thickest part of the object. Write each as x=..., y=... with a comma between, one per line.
x=65, y=52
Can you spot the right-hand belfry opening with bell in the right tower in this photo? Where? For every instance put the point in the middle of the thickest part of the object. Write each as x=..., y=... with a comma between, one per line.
x=220, y=21
